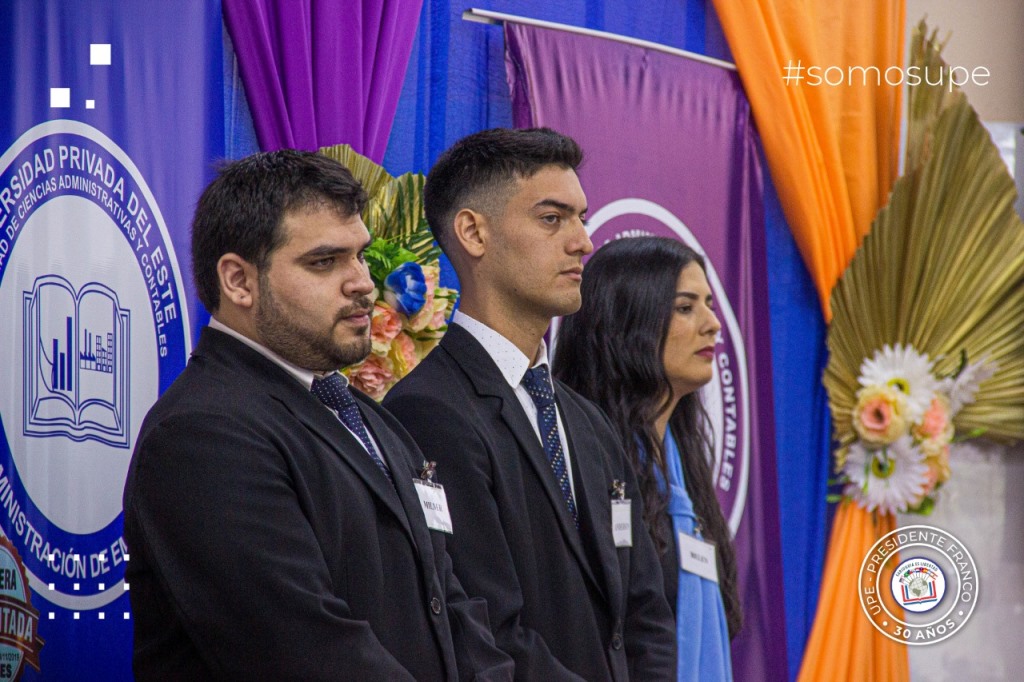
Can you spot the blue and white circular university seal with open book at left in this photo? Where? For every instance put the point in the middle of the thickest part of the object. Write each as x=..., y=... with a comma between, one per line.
x=95, y=329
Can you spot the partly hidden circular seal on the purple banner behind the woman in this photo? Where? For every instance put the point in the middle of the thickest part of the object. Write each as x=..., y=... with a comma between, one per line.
x=728, y=398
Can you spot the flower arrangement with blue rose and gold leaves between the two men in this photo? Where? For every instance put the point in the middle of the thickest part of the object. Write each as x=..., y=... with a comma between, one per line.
x=411, y=309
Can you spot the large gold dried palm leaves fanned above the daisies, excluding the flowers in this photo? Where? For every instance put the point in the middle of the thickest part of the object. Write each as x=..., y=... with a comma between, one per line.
x=943, y=269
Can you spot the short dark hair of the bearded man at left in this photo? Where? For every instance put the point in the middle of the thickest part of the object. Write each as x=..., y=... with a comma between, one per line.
x=243, y=209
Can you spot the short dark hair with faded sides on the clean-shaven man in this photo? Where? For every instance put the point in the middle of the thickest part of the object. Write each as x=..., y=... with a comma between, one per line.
x=479, y=172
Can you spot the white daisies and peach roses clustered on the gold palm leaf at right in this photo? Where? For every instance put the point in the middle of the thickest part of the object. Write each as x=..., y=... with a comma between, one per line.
x=904, y=428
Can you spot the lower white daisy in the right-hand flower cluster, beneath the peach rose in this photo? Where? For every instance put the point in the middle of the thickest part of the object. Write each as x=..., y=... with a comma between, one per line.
x=890, y=480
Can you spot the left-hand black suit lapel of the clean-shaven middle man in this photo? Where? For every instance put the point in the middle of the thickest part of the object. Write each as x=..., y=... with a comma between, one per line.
x=488, y=380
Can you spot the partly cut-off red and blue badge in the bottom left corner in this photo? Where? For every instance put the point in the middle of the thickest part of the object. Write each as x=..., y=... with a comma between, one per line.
x=20, y=642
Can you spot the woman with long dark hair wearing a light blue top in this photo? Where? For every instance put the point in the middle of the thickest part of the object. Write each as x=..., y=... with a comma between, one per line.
x=642, y=348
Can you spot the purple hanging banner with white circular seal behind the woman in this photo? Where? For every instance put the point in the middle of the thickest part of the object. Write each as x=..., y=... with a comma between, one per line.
x=670, y=150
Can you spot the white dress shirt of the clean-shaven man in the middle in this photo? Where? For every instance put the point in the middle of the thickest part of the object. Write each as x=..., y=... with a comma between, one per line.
x=514, y=365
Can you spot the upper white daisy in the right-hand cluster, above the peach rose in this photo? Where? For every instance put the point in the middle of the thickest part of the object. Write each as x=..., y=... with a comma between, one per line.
x=903, y=368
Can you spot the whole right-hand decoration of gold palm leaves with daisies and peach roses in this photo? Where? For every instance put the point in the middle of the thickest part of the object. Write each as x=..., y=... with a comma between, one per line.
x=938, y=279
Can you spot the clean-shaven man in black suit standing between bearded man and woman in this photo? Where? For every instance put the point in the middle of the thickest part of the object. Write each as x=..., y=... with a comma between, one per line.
x=534, y=473
